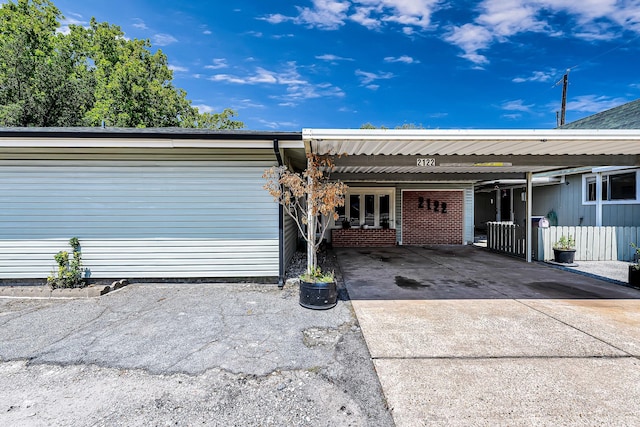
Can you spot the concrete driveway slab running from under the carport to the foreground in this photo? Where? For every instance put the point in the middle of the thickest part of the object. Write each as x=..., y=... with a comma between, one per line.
x=462, y=336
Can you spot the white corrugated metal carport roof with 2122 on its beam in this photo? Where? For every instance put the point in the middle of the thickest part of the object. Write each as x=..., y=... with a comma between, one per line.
x=469, y=155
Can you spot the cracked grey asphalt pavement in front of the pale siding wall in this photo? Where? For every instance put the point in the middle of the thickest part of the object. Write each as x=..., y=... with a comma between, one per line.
x=160, y=354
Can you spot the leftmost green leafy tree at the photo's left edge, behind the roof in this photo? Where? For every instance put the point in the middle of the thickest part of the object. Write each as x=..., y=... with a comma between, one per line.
x=39, y=85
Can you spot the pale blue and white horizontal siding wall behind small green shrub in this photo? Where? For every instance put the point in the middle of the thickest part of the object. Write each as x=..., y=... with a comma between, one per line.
x=139, y=220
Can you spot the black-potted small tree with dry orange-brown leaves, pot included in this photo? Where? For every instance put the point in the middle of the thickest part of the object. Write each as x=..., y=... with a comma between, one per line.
x=306, y=196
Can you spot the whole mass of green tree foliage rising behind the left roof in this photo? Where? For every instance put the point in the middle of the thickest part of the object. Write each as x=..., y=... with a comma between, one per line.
x=87, y=76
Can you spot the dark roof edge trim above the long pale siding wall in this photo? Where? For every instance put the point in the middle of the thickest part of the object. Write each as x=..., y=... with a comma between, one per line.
x=160, y=133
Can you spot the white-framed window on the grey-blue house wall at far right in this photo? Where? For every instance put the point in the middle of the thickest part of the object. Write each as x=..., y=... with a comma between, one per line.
x=617, y=187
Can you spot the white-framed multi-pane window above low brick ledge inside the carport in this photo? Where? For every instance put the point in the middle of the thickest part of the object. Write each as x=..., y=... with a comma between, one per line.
x=370, y=207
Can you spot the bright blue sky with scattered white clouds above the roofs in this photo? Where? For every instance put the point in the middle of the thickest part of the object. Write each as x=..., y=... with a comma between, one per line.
x=286, y=65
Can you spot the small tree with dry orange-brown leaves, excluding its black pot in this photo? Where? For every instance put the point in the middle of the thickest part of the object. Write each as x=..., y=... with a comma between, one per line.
x=305, y=196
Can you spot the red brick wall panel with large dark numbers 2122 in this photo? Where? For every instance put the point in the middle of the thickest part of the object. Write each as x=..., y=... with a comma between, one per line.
x=423, y=219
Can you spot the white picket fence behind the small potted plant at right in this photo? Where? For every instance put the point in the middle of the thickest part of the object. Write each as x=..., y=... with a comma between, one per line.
x=592, y=243
